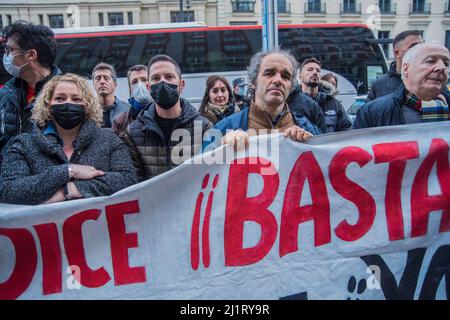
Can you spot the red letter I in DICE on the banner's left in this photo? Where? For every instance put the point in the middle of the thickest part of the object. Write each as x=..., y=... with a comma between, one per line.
x=51, y=258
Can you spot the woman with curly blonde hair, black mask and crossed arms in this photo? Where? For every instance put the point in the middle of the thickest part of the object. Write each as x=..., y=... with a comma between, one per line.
x=68, y=155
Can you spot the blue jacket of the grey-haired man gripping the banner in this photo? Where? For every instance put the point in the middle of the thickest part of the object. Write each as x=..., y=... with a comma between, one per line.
x=240, y=121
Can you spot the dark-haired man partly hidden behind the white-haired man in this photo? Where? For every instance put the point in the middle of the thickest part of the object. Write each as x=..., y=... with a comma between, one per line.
x=389, y=82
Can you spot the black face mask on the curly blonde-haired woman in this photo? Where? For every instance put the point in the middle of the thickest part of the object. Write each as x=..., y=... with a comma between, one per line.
x=68, y=115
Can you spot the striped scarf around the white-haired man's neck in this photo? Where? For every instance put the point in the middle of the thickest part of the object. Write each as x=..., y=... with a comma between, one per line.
x=434, y=110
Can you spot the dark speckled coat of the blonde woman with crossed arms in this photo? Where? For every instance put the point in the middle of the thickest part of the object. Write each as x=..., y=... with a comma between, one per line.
x=35, y=165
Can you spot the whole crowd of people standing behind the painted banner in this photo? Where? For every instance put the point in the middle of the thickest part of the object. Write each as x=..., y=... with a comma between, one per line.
x=59, y=140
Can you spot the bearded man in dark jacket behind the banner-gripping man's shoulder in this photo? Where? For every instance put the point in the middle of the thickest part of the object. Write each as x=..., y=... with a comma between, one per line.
x=336, y=118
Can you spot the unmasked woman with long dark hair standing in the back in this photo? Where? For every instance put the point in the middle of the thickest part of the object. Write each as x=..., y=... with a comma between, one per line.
x=218, y=100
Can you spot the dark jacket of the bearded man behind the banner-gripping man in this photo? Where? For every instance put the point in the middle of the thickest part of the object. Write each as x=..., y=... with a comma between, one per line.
x=336, y=118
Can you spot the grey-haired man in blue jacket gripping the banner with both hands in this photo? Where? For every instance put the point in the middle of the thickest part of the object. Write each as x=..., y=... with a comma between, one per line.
x=272, y=75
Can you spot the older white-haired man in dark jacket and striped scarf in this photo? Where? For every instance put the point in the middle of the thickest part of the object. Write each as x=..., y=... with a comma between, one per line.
x=420, y=98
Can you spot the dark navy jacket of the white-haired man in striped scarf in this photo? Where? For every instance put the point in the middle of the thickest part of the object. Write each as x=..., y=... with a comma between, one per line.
x=385, y=111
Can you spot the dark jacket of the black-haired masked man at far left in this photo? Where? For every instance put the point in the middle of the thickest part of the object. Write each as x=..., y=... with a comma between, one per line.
x=15, y=113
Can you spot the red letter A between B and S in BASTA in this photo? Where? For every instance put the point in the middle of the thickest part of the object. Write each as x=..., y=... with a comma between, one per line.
x=305, y=168
